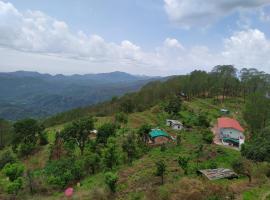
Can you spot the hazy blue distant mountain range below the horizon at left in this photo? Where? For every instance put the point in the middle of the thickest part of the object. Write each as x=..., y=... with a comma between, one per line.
x=31, y=94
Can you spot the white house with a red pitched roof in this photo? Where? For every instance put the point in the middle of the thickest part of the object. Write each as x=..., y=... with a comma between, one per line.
x=230, y=132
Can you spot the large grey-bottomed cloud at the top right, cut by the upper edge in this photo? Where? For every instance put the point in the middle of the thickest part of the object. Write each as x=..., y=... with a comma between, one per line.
x=187, y=13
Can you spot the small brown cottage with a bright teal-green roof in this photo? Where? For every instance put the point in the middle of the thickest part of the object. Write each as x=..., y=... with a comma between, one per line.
x=158, y=136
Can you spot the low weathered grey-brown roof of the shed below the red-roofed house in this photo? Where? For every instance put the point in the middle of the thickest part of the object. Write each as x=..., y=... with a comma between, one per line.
x=214, y=174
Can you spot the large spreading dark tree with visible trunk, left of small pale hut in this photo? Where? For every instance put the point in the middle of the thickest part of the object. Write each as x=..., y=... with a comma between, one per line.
x=78, y=132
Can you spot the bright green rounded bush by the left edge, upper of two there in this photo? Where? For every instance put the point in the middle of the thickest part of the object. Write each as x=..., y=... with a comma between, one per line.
x=13, y=170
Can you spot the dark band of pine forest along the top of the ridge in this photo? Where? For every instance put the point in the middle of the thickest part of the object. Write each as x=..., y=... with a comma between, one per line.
x=221, y=83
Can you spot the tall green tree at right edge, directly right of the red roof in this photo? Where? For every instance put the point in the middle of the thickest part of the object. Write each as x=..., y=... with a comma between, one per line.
x=257, y=112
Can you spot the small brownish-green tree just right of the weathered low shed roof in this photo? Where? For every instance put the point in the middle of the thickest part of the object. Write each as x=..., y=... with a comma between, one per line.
x=243, y=167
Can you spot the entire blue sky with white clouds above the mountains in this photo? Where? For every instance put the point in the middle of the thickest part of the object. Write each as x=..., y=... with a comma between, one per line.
x=150, y=37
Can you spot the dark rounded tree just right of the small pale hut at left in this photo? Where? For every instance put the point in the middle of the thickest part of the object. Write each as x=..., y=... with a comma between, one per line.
x=105, y=131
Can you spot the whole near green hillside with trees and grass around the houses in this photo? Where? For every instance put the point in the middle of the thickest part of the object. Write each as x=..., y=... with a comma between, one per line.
x=105, y=151
